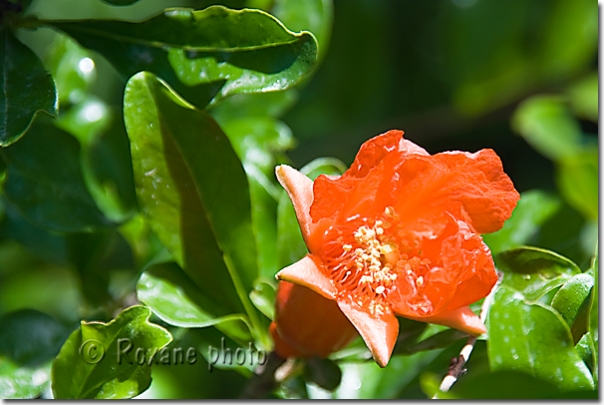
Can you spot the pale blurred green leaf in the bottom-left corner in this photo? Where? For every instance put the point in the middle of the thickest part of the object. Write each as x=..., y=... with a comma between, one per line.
x=18, y=382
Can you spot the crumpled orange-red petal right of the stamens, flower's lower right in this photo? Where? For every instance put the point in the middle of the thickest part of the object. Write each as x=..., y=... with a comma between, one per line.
x=454, y=269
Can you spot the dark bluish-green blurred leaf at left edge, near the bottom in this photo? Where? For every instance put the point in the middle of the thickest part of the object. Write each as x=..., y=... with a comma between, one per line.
x=30, y=338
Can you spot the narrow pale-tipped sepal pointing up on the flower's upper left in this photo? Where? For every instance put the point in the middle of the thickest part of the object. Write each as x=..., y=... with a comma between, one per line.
x=300, y=191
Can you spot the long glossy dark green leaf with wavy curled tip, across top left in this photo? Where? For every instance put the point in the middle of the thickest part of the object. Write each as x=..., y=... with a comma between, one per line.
x=213, y=52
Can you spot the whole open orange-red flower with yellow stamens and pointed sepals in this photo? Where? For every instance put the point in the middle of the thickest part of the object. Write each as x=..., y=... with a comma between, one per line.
x=397, y=234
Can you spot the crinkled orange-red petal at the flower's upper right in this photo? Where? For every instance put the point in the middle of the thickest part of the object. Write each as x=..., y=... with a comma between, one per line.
x=453, y=180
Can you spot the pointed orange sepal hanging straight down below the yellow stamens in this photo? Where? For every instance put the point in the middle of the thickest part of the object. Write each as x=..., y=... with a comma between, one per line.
x=378, y=331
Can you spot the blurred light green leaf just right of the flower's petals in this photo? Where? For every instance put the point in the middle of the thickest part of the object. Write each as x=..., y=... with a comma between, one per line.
x=534, y=208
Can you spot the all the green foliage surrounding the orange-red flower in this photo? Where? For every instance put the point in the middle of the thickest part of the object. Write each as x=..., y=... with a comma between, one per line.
x=138, y=204
